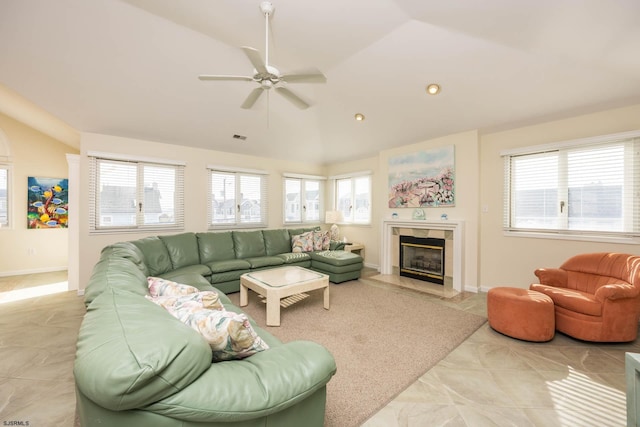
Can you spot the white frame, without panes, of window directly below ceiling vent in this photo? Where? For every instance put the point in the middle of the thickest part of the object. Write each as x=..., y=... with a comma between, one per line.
x=238, y=174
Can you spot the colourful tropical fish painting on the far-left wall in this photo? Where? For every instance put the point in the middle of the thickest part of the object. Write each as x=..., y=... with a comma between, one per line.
x=48, y=202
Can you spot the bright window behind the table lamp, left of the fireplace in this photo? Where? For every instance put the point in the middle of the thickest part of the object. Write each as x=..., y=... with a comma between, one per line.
x=353, y=198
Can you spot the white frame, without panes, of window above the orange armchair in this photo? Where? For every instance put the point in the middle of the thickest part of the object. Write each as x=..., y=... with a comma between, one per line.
x=630, y=208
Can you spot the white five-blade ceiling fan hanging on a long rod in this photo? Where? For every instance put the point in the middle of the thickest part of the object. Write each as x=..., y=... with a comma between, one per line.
x=268, y=76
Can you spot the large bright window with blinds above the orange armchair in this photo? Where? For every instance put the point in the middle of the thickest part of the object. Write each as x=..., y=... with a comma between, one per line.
x=587, y=187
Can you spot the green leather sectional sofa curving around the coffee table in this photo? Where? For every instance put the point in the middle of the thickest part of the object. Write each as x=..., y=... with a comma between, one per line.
x=137, y=365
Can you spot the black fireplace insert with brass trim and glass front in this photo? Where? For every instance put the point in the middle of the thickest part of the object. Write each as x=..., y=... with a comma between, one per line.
x=422, y=258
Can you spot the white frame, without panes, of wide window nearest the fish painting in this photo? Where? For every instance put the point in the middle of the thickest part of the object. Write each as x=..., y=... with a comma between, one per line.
x=140, y=163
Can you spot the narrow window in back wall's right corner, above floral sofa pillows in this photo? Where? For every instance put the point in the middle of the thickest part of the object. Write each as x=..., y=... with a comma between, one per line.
x=303, y=199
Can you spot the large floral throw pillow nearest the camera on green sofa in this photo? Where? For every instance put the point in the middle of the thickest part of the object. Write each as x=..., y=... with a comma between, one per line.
x=229, y=334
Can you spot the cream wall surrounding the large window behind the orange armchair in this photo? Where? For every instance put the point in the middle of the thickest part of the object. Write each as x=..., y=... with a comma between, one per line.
x=511, y=261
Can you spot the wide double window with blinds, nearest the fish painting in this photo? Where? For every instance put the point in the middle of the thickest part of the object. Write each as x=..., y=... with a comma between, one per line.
x=129, y=194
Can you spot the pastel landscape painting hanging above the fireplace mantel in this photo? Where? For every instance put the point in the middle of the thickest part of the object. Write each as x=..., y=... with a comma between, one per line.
x=423, y=179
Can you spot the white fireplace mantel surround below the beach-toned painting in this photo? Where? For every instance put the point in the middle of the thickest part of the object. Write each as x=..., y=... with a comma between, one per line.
x=456, y=226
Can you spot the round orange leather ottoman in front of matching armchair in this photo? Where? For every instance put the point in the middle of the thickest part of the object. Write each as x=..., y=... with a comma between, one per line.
x=521, y=313
